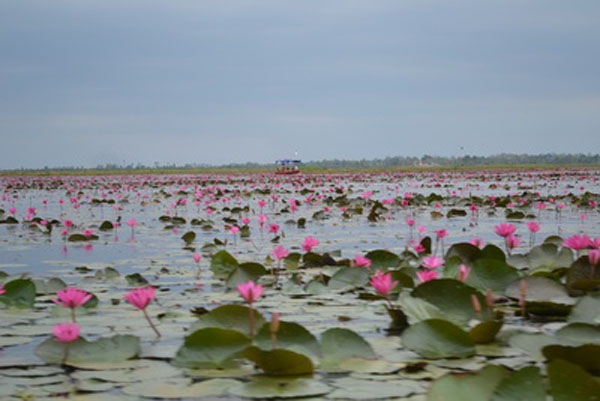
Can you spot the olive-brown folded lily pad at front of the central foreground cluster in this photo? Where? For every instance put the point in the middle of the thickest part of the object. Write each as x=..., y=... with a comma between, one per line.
x=279, y=362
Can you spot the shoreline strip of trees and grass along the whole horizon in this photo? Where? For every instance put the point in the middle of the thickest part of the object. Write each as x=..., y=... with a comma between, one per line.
x=393, y=164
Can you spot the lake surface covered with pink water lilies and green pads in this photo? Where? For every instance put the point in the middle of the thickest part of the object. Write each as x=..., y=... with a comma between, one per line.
x=432, y=285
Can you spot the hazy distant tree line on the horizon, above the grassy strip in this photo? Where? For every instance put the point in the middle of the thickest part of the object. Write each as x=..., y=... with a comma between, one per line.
x=507, y=159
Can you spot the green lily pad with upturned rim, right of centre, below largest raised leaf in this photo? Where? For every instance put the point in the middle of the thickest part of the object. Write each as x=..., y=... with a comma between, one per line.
x=451, y=297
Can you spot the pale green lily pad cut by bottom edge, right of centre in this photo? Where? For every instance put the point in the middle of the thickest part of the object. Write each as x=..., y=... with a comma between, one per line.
x=477, y=386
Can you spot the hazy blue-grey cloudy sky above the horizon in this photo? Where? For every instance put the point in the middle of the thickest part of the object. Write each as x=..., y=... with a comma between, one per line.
x=95, y=82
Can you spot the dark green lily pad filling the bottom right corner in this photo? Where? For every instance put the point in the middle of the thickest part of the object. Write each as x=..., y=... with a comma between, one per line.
x=569, y=382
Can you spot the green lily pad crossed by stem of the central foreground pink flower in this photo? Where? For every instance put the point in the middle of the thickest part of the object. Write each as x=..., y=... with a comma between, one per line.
x=234, y=317
